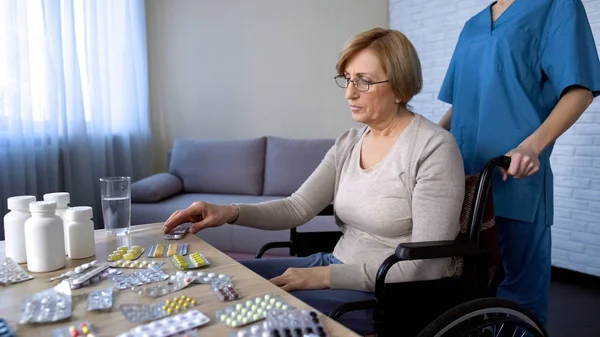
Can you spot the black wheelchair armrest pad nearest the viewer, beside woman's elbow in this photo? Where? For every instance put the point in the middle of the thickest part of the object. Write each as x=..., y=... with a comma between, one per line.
x=435, y=249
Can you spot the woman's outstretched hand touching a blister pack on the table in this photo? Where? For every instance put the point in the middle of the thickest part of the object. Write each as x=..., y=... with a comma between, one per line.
x=202, y=215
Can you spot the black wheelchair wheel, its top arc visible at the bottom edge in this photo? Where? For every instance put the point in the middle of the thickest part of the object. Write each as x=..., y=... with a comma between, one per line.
x=493, y=317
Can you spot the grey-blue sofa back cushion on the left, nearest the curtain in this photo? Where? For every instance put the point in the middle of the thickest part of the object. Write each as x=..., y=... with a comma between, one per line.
x=219, y=166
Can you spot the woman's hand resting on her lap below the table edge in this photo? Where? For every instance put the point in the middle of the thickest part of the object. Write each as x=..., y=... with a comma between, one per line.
x=303, y=279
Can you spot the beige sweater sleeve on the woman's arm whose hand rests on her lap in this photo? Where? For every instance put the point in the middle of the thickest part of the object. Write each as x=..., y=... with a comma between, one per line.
x=437, y=201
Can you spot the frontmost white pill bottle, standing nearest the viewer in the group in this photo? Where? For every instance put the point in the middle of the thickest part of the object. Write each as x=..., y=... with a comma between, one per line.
x=44, y=238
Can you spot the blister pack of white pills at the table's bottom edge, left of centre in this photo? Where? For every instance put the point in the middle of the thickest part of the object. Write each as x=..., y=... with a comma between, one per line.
x=170, y=326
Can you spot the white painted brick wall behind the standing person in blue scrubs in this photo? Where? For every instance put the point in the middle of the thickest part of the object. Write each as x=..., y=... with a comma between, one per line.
x=433, y=26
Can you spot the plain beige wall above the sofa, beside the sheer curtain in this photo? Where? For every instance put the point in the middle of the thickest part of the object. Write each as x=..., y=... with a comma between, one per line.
x=239, y=69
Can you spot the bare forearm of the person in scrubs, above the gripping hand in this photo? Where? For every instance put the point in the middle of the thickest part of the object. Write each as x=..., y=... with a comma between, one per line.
x=565, y=114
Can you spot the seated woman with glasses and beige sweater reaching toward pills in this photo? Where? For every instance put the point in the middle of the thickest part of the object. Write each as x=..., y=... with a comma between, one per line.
x=400, y=178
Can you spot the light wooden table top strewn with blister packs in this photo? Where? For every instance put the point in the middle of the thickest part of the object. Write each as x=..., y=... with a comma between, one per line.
x=113, y=323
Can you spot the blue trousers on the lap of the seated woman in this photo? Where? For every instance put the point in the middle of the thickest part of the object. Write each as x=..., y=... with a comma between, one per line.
x=325, y=300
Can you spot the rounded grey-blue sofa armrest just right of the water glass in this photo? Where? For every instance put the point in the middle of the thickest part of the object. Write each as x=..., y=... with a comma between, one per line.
x=155, y=188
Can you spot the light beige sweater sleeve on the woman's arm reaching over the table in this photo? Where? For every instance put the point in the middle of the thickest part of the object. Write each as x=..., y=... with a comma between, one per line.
x=304, y=204
